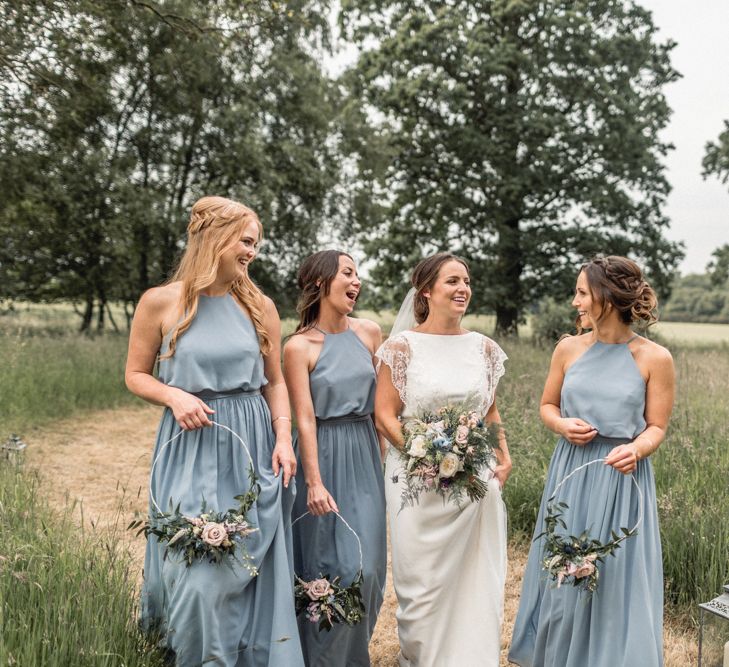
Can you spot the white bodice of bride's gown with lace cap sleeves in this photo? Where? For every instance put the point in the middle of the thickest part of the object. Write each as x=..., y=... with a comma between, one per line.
x=430, y=370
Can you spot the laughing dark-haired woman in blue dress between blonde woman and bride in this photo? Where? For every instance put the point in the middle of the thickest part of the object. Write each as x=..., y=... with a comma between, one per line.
x=329, y=370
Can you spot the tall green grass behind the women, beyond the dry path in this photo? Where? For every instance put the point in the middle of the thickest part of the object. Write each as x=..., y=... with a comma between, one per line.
x=48, y=374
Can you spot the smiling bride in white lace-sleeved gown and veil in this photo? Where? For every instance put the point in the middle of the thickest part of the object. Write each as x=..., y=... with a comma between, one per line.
x=448, y=563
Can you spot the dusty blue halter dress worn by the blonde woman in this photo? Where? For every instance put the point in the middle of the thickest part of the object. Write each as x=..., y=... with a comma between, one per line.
x=207, y=613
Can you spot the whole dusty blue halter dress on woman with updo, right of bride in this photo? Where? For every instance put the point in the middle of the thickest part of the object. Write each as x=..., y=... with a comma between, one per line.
x=622, y=624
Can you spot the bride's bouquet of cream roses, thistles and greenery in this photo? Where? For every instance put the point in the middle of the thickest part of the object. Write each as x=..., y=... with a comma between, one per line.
x=445, y=452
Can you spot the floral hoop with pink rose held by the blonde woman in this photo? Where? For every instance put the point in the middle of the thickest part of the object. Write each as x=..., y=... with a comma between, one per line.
x=211, y=535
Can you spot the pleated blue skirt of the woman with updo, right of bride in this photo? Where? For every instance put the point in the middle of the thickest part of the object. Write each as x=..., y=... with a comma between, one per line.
x=622, y=623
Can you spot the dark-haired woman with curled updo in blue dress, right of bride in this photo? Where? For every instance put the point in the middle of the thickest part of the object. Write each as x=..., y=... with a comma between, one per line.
x=608, y=396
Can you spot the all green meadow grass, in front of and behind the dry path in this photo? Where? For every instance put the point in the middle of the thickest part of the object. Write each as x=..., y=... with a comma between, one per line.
x=50, y=376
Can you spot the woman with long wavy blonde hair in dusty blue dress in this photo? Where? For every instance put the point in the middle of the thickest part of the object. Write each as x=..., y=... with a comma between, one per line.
x=218, y=341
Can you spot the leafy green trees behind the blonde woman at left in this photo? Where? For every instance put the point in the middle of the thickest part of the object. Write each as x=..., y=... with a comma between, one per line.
x=134, y=111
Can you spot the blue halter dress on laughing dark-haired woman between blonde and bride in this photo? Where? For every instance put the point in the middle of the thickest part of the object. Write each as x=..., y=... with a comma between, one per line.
x=342, y=389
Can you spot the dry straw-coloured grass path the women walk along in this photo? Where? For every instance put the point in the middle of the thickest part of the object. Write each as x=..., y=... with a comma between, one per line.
x=103, y=458
